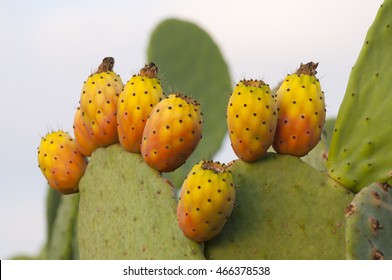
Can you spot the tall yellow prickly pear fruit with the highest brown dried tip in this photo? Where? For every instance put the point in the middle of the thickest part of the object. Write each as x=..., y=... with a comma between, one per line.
x=98, y=105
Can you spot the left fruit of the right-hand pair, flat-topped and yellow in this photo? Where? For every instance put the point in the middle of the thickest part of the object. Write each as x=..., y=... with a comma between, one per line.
x=251, y=119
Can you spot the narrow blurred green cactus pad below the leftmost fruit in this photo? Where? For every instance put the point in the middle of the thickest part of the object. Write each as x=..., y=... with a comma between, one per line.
x=61, y=244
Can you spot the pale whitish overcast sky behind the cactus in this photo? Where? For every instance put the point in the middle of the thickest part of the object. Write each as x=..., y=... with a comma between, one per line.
x=48, y=48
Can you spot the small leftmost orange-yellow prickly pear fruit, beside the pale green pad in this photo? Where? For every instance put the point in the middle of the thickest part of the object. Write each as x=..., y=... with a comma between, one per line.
x=61, y=162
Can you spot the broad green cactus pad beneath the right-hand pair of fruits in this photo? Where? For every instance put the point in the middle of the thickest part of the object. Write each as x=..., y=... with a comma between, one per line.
x=285, y=209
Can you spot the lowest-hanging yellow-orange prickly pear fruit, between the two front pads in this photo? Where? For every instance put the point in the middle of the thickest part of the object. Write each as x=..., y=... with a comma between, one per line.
x=206, y=200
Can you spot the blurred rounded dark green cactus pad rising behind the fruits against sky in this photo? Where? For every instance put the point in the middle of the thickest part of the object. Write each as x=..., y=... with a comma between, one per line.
x=190, y=62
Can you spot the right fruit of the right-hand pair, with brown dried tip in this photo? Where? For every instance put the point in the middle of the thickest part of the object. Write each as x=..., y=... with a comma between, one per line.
x=301, y=112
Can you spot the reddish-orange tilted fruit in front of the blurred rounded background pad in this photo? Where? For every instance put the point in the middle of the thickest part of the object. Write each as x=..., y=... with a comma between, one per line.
x=172, y=132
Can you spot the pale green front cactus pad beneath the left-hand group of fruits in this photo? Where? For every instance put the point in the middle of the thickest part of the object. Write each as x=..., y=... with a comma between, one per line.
x=128, y=211
